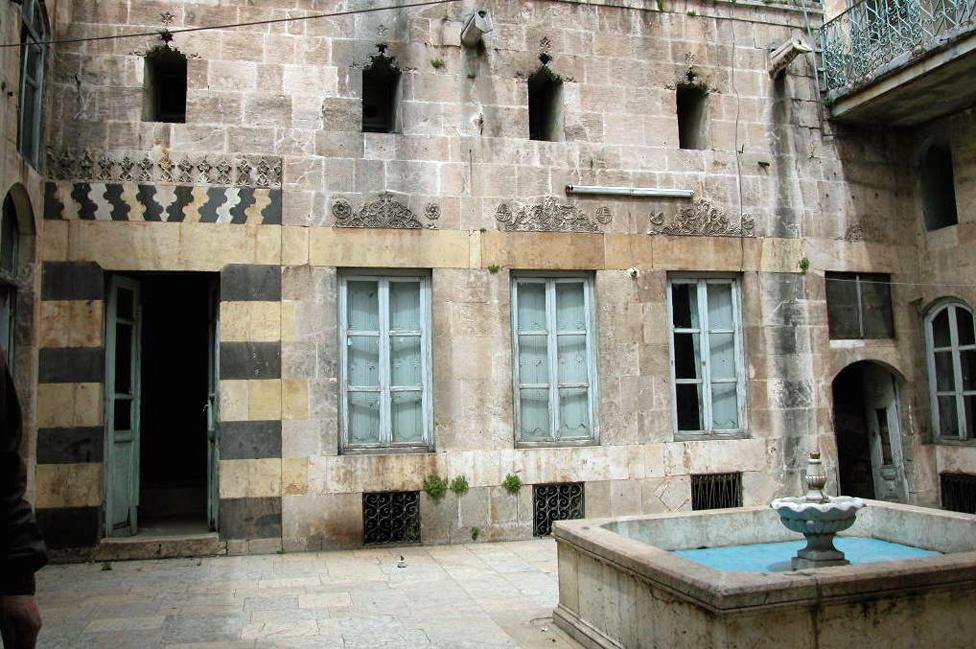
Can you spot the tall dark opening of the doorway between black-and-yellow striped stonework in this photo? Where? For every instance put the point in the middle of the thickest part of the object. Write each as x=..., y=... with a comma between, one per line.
x=175, y=366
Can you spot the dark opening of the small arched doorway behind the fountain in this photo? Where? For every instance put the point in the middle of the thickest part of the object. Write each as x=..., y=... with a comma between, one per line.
x=850, y=428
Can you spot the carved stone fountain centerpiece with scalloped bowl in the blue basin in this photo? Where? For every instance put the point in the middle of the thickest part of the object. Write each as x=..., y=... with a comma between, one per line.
x=817, y=517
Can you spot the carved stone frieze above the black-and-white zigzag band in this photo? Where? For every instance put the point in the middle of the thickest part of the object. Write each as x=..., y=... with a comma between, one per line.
x=257, y=172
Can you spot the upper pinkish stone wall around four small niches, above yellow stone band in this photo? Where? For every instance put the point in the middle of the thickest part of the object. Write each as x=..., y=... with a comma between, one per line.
x=292, y=92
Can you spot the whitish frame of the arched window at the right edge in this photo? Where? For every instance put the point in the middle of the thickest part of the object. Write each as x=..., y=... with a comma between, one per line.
x=958, y=392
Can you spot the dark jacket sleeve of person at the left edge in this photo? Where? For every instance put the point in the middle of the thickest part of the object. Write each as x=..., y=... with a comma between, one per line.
x=22, y=550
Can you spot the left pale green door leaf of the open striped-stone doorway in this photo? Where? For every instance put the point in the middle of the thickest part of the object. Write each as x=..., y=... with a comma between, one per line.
x=122, y=398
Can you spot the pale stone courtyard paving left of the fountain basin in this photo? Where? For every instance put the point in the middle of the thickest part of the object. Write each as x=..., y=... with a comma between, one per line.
x=476, y=596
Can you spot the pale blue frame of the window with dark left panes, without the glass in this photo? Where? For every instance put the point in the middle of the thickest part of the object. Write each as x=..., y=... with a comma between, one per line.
x=704, y=360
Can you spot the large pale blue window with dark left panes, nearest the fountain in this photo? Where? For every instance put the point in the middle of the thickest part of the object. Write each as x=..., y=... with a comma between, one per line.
x=706, y=355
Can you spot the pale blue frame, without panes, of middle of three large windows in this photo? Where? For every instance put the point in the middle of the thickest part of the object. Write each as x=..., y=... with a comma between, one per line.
x=550, y=279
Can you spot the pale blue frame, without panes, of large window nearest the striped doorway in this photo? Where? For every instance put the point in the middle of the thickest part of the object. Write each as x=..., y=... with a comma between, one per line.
x=383, y=277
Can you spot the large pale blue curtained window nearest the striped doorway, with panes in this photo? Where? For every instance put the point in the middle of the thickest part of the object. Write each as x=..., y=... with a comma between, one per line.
x=385, y=350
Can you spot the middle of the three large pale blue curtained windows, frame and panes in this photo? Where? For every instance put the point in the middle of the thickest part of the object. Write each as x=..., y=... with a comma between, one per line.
x=555, y=368
